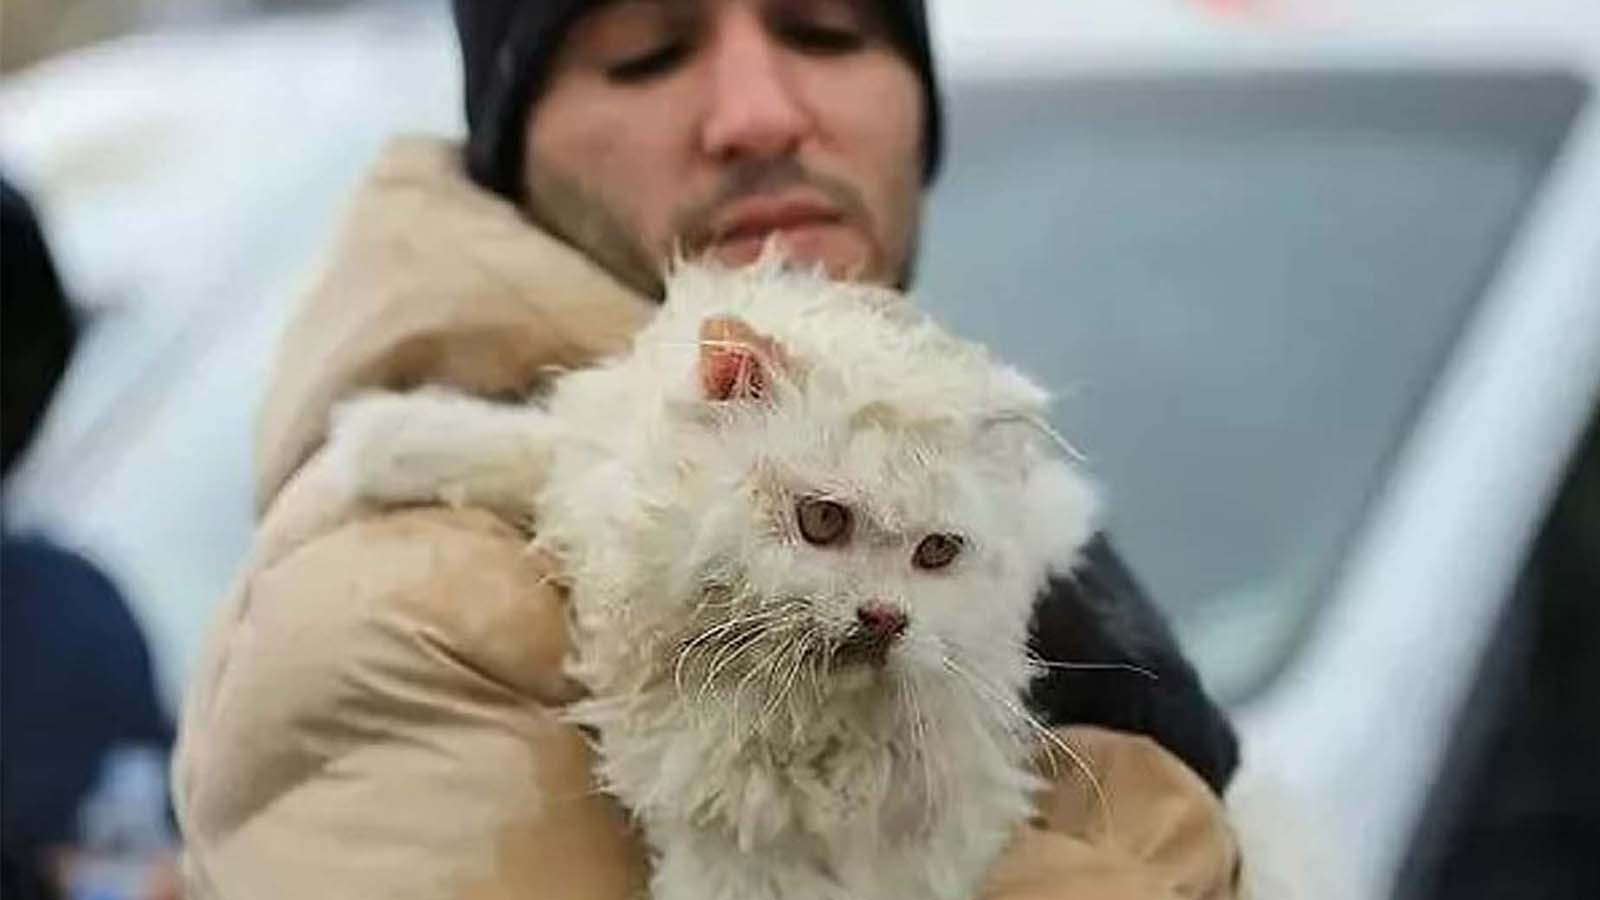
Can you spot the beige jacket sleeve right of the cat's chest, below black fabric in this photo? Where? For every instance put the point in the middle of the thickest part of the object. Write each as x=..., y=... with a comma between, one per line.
x=1145, y=829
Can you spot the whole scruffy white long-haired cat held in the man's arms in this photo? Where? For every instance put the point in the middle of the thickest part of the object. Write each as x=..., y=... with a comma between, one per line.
x=804, y=529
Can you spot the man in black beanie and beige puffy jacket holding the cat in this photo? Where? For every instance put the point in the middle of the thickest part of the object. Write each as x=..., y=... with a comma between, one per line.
x=380, y=712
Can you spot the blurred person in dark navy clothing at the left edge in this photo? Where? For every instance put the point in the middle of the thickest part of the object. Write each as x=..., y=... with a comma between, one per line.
x=84, y=741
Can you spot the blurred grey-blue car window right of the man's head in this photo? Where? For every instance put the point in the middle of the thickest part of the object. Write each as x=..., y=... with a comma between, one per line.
x=1241, y=291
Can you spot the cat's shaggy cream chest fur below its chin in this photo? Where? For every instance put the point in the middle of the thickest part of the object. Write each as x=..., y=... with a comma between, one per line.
x=841, y=806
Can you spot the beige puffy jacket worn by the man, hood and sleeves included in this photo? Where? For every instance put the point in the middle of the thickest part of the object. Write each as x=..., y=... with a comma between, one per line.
x=377, y=715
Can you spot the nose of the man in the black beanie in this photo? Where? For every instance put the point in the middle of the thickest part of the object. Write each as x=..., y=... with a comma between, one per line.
x=754, y=111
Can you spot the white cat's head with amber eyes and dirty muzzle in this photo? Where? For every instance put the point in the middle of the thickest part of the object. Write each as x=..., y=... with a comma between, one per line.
x=862, y=497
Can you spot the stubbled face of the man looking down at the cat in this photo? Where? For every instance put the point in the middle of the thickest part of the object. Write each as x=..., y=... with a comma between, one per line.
x=708, y=127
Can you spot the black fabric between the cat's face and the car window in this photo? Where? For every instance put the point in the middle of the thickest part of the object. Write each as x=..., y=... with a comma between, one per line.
x=1102, y=616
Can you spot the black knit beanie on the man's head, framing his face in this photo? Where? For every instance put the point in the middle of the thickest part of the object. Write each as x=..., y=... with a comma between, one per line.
x=506, y=52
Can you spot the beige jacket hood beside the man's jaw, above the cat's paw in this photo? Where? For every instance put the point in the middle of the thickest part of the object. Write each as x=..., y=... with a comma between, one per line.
x=434, y=281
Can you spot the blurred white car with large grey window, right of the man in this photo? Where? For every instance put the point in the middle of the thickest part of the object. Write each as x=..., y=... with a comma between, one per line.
x=1327, y=323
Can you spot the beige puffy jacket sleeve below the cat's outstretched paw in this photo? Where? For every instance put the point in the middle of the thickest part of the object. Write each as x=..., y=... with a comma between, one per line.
x=378, y=723
